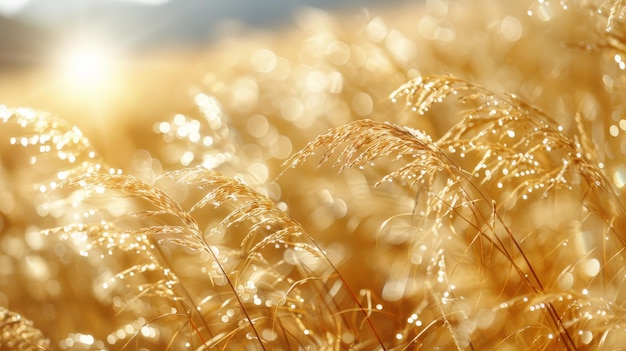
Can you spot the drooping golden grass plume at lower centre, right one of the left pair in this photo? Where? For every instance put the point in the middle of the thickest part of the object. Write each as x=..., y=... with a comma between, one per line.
x=272, y=240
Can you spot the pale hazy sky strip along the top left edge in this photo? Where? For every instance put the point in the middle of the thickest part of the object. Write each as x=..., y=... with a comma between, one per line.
x=177, y=22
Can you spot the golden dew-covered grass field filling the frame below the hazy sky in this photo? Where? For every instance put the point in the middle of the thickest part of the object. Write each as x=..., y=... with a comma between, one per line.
x=452, y=215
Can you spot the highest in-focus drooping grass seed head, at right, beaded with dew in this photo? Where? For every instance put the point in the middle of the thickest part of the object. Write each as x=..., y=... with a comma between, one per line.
x=512, y=142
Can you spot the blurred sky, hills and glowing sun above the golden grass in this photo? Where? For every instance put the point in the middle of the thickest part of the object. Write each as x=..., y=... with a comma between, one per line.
x=97, y=62
